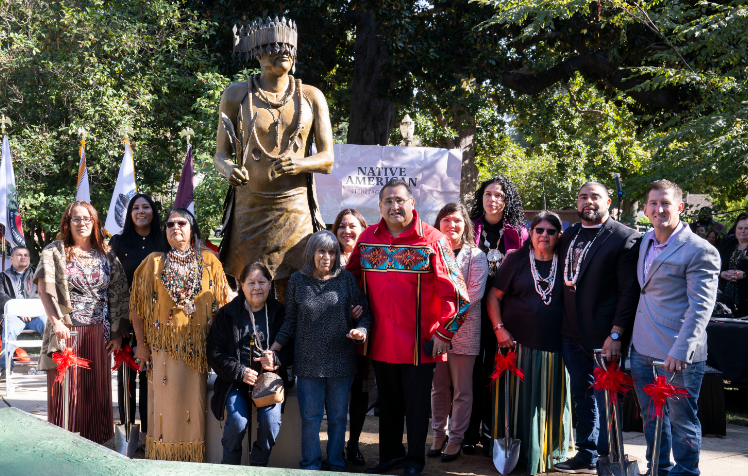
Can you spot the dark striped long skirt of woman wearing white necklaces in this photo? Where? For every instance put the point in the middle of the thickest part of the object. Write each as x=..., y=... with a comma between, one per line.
x=540, y=409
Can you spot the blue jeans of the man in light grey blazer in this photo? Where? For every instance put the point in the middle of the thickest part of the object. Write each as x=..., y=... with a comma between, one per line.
x=681, y=429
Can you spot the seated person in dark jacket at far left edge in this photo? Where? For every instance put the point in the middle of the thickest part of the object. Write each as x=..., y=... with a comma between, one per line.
x=17, y=283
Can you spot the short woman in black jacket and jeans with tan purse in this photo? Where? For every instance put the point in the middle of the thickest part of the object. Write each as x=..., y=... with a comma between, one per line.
x=234, y=354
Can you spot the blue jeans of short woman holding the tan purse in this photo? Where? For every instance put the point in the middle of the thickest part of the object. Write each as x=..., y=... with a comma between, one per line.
x=238, y=412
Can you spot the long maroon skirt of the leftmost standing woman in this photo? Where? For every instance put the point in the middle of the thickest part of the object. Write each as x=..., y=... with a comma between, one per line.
x=90, y=390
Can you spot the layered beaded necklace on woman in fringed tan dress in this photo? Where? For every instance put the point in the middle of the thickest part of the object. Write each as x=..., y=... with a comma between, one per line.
x=182, y=277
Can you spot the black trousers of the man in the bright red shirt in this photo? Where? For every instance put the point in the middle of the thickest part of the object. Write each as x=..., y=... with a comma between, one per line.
x=404, y=398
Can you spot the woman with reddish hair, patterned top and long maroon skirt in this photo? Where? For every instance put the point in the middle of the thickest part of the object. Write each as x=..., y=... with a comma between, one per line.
x=83, y=289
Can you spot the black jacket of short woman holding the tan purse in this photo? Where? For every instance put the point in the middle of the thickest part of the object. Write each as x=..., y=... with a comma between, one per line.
x=223, y=349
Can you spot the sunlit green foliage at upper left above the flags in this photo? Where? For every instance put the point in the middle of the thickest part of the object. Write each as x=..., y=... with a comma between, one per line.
x=100, y=65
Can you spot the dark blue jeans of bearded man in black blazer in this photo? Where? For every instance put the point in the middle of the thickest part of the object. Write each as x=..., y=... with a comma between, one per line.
x=588, y=403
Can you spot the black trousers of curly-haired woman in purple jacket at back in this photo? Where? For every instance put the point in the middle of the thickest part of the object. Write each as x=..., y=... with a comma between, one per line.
x=481, y=418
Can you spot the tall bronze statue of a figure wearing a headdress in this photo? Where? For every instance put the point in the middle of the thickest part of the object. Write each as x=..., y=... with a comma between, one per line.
x=271, y=207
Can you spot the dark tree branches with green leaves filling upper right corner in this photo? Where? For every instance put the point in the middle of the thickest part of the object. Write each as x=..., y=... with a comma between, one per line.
x=683, y=63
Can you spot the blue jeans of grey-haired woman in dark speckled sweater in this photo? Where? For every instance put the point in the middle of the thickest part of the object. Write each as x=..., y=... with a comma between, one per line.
x=317, y=394
